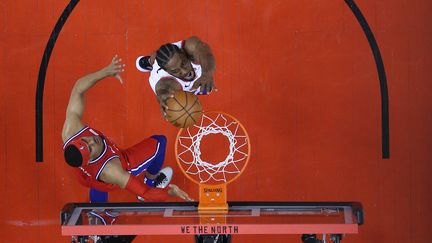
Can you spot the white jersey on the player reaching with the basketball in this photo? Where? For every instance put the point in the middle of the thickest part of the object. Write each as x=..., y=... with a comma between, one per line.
x=158, y=73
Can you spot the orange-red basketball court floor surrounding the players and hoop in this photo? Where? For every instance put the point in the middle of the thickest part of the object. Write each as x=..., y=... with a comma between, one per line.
x=298, y=74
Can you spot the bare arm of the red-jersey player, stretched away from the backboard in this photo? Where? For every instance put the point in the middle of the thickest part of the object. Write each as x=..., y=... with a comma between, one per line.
x=75, y=108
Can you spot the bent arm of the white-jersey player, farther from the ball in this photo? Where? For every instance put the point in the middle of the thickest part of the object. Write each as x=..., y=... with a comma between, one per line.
x=203, y=55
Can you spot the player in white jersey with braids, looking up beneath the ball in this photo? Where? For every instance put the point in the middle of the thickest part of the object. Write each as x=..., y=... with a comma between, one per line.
x=186, y=65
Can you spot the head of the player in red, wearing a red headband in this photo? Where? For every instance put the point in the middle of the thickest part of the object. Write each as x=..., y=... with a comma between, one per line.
x=82, y=150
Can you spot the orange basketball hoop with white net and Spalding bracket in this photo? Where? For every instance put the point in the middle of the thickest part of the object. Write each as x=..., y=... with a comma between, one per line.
x=206, y=168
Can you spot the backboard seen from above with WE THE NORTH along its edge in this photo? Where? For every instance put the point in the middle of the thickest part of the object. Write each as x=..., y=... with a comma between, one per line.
x=184, y=218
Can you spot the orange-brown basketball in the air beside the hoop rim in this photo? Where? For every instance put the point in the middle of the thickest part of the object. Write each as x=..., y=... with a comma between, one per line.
x=184, y=109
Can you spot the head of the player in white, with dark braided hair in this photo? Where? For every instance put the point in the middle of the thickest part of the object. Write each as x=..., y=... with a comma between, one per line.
x=175, y=61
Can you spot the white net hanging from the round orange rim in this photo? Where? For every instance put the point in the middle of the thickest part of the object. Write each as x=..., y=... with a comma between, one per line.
x=189, y=154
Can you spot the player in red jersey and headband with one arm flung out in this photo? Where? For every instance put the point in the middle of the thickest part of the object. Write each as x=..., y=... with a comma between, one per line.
x=101, y=165
